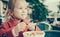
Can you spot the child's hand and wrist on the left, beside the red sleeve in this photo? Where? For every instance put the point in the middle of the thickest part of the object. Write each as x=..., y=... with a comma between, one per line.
x=19, y=27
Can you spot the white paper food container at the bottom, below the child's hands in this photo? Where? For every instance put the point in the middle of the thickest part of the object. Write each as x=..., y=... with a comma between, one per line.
x=34, y=34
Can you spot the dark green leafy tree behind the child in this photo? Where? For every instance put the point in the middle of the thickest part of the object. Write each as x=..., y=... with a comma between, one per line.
x=39, y=11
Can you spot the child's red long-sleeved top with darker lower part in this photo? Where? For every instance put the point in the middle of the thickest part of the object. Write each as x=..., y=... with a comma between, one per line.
x=6, y=28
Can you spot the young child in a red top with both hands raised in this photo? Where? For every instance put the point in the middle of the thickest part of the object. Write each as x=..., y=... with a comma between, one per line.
x=18, y=12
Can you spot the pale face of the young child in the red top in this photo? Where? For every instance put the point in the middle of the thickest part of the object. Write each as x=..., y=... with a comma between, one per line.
x=20, y=10
